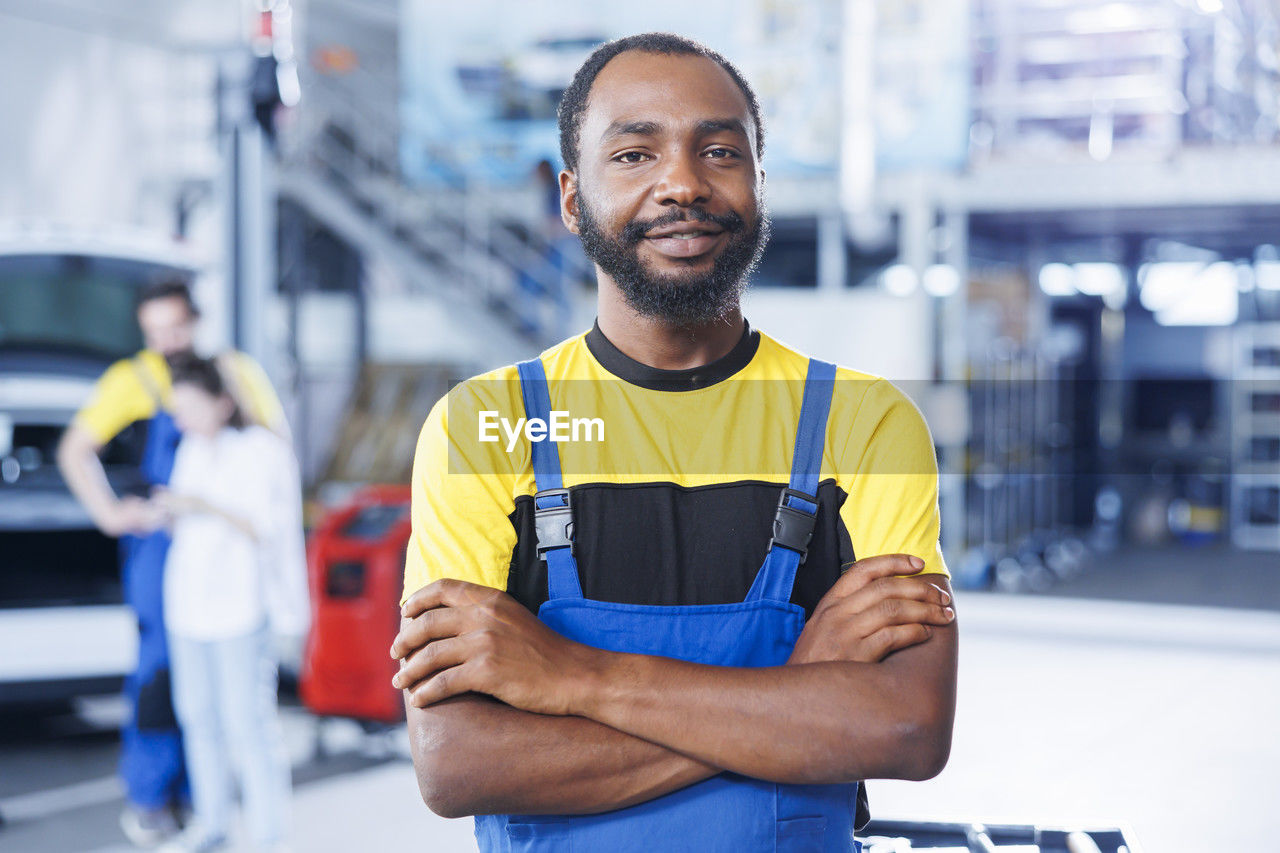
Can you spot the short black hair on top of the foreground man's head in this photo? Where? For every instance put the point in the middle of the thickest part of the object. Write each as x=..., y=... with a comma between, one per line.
x=573, y=104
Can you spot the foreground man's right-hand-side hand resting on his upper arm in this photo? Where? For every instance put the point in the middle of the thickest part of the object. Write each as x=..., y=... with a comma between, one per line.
x=874, y=612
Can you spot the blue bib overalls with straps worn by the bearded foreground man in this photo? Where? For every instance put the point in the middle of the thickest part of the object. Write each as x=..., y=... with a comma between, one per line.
x=728, y=813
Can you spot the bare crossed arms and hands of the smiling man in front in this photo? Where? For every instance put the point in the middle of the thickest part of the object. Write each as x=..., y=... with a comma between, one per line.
x=508, y=717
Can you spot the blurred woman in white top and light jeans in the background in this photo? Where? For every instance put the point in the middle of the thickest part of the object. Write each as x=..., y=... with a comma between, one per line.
x=234, y=577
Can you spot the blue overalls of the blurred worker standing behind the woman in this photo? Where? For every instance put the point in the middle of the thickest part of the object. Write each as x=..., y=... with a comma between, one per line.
x=152, y=760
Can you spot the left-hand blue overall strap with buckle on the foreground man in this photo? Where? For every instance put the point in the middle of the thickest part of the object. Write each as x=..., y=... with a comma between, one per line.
x=554, y=513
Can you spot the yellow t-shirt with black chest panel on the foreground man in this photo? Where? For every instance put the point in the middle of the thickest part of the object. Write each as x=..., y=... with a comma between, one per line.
x=675, y=491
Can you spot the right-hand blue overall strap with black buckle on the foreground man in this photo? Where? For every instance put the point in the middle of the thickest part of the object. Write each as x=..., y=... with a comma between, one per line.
x=798, y=505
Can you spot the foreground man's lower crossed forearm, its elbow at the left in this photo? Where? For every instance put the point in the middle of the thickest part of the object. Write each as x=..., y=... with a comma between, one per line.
x=477, y=756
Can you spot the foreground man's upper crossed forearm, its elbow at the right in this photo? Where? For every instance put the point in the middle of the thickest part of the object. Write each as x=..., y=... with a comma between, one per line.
x=802, y=724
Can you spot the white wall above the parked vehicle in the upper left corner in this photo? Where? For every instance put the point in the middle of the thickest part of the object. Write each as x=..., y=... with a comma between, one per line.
x=95, y=104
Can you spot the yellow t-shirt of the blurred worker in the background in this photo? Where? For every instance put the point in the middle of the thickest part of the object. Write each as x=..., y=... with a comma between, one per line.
x=131, y=390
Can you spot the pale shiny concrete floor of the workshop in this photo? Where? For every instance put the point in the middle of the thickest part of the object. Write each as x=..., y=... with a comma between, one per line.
x=1071, y=711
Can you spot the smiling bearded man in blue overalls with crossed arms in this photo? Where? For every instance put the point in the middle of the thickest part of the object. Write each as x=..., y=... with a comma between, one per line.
x=673, y=694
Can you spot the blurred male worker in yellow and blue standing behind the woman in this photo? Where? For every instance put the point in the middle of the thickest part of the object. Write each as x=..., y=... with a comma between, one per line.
x=136, y=391
